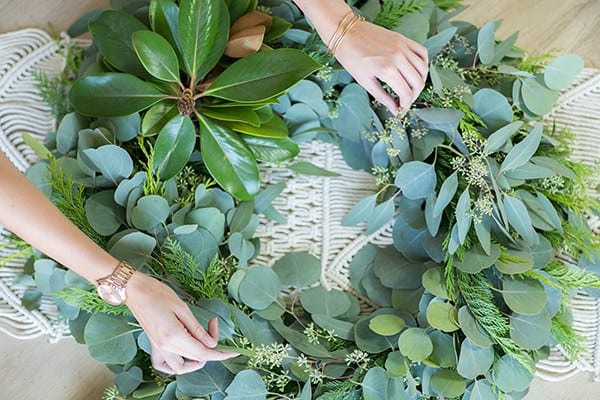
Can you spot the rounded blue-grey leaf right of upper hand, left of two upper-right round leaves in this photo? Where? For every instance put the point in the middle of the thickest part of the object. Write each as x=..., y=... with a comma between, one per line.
x=493, y=109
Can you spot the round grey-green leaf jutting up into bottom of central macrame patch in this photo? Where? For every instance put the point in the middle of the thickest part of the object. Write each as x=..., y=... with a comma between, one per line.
x=298, y=269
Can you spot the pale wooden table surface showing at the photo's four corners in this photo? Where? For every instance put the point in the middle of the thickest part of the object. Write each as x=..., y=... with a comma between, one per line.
x=35, y=370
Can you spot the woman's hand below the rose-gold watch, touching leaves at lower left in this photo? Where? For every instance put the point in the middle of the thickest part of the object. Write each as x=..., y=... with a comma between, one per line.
x=179, y=343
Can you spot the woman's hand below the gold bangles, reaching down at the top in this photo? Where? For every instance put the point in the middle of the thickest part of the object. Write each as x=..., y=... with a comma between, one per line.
x=372, y=54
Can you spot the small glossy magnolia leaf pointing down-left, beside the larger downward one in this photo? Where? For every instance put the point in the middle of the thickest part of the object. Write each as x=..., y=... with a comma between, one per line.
x=174, y=146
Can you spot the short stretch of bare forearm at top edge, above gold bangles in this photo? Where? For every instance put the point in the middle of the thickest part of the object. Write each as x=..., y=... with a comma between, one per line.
x=325, y=15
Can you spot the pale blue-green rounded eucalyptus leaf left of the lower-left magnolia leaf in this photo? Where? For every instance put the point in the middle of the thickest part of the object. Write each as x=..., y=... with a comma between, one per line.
x=113, y=162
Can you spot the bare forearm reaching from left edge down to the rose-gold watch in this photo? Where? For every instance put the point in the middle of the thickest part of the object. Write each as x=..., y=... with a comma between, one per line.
x=26, y=212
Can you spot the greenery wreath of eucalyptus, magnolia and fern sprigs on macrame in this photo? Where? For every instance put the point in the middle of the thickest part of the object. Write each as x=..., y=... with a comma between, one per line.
x=486, y=203
